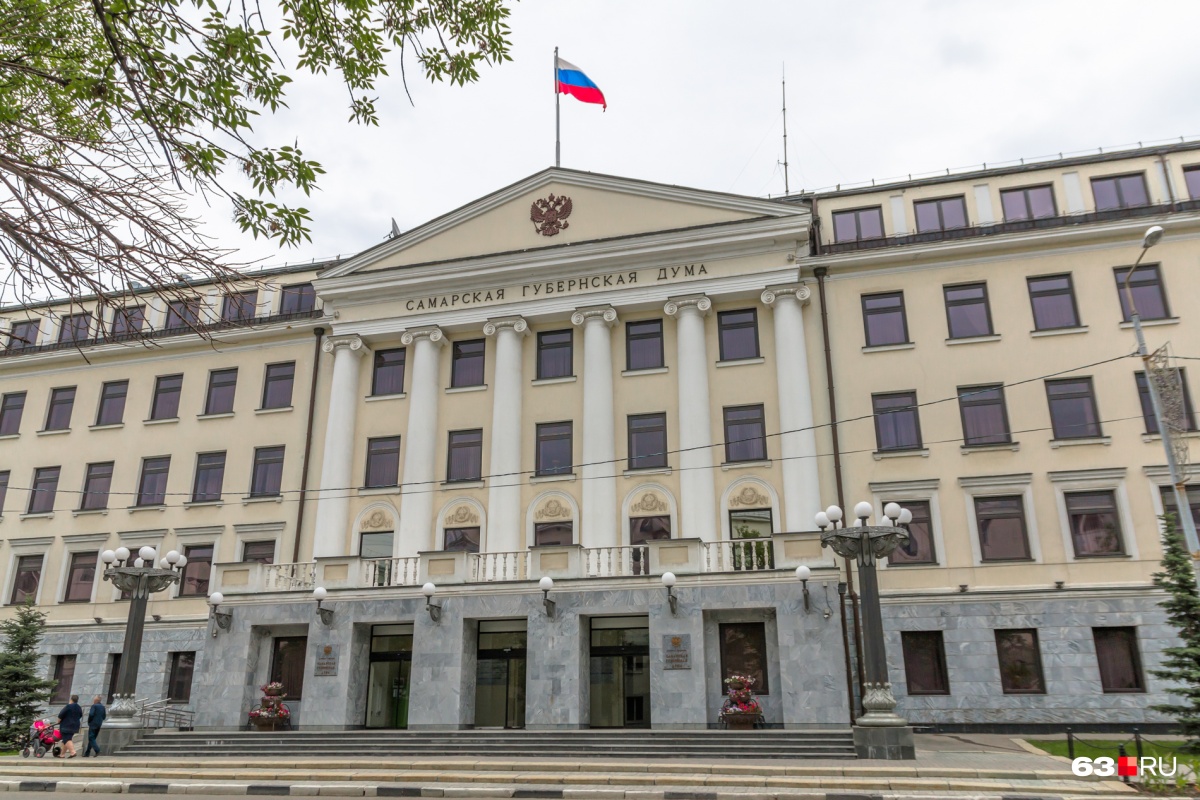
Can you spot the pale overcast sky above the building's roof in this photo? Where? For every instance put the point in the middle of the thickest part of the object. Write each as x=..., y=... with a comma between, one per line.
x=877, y=89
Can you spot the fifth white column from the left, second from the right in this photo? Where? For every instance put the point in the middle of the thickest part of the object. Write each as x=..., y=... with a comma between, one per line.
x=698, y=509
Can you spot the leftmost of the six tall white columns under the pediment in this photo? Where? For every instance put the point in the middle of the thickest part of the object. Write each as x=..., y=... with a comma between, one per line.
x=333, y=501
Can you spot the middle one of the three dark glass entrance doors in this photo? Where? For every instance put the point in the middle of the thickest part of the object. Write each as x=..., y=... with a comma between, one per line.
x=501, y=675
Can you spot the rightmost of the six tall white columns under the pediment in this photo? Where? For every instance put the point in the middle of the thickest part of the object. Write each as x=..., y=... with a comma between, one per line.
x=802, y=489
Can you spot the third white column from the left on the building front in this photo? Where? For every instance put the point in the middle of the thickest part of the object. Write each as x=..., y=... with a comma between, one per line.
x=505, y=518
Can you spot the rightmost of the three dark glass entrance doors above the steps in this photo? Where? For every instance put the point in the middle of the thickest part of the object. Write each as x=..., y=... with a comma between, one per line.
x=621, y=672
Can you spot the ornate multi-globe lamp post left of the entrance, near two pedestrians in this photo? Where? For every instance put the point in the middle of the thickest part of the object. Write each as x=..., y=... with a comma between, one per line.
x=141, y=579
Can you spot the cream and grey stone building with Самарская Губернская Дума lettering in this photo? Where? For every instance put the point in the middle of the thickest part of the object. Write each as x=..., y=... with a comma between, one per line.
x=601, y=381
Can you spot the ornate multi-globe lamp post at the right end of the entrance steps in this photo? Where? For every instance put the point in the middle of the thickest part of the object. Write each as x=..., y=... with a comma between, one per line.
x=880, y=732
